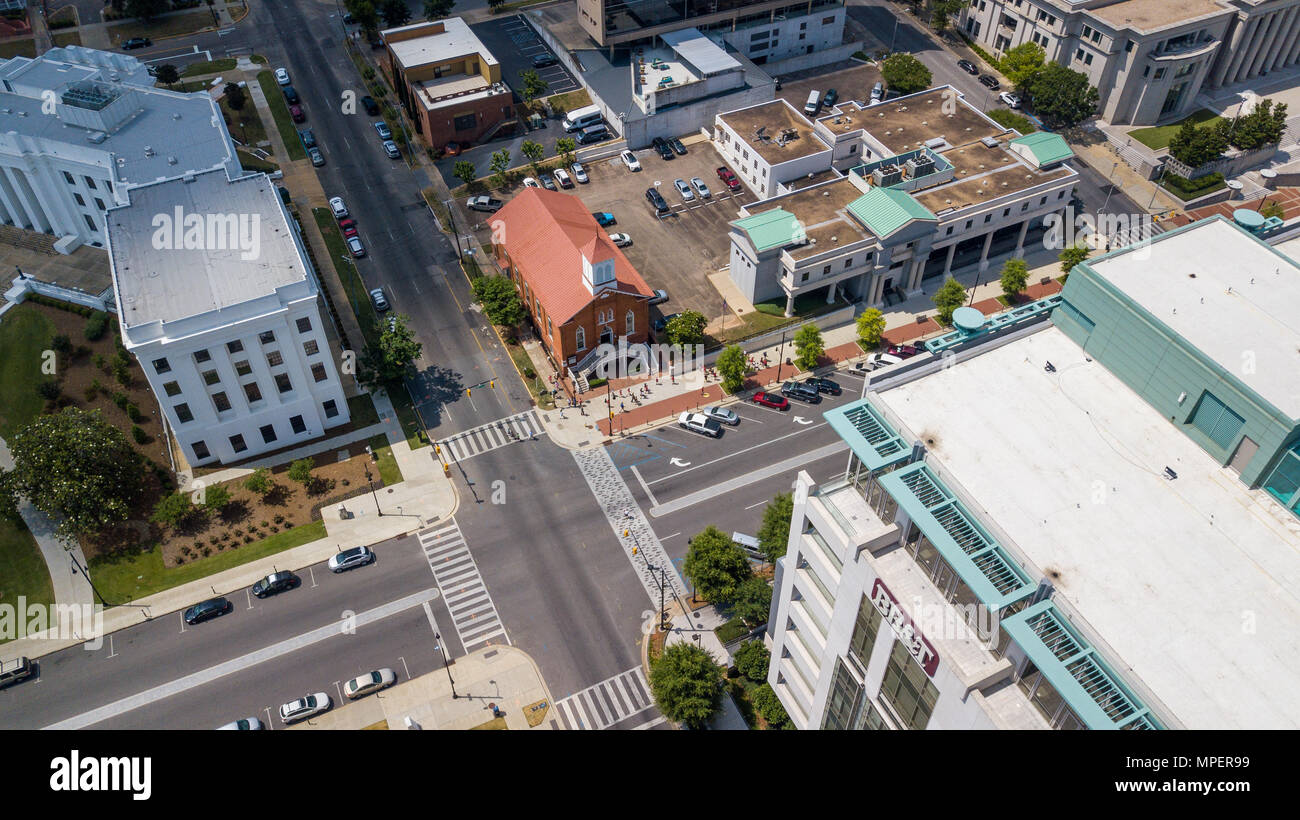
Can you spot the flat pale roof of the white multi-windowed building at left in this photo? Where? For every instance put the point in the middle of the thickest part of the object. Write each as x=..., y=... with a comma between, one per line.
x=159, y=281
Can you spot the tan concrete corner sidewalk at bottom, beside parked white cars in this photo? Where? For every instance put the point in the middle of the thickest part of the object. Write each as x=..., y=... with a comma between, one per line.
x=500, y=675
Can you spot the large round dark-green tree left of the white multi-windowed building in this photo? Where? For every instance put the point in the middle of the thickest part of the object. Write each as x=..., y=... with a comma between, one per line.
x=76, y=467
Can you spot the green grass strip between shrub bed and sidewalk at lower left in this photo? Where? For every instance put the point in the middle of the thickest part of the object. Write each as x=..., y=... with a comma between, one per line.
x=137, y=576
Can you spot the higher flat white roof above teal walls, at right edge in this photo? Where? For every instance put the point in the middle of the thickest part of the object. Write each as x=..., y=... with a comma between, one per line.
x=1243, y=300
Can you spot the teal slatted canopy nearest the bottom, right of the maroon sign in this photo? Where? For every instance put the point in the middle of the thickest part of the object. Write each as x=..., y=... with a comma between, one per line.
x=1077, y=671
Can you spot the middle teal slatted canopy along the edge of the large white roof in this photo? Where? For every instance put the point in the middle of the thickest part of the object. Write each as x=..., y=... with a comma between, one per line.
x=973, y=554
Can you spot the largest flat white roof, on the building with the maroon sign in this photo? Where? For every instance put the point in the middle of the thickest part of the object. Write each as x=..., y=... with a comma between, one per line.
x=1194, y=583
